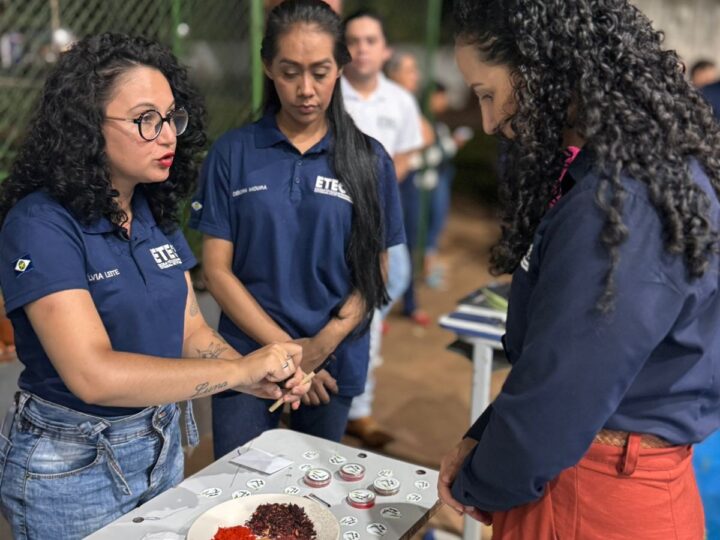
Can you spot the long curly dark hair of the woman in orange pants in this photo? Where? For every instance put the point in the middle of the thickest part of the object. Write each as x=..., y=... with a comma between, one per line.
x=599, y=67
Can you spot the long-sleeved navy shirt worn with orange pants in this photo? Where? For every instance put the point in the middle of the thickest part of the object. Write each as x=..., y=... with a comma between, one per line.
x=652, y=366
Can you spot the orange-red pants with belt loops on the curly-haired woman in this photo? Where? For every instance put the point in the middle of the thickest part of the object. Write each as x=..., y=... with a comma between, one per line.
x=614, y=493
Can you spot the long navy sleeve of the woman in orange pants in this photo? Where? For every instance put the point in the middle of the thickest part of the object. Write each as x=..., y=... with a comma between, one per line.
x=575, y=364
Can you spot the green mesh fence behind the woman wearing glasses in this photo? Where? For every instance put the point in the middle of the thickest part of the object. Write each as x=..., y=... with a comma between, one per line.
x=212, y=37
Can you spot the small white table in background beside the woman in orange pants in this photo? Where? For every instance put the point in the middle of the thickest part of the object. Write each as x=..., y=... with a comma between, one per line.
x=474, y=332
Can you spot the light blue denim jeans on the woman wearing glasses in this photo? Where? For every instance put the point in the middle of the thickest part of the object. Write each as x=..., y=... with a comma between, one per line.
x=65, y=474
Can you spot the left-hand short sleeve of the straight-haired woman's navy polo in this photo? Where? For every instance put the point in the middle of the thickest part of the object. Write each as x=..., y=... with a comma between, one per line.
x=210, y=207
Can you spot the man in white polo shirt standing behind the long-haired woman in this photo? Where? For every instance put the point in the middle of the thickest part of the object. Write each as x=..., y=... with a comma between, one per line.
x=390, y=114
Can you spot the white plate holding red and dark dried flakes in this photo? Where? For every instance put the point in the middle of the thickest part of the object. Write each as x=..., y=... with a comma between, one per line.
x=237, y=511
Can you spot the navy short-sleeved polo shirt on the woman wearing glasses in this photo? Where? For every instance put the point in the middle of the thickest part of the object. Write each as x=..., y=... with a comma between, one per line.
x=138, y=285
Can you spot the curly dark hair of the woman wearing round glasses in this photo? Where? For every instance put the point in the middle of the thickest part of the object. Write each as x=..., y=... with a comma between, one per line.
x=64, y=151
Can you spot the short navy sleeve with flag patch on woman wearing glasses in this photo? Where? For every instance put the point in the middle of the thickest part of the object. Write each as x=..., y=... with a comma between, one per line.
x=40, y=256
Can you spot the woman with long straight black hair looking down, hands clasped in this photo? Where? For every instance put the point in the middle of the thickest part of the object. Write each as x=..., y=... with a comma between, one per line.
x=298, y=209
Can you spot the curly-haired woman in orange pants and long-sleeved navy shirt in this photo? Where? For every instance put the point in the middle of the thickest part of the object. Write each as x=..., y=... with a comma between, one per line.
x=611, y=231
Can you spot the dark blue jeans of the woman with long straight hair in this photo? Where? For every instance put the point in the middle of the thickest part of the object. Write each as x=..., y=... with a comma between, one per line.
x=239, y=418
